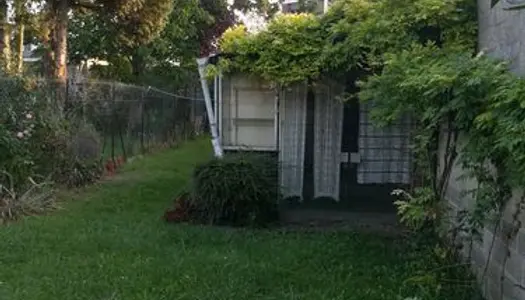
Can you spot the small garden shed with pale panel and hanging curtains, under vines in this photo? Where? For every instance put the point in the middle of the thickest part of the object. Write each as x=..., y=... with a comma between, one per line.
x=328, y=150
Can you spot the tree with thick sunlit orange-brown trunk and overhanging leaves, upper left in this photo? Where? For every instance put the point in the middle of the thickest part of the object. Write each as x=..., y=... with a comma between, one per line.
x=134, y=22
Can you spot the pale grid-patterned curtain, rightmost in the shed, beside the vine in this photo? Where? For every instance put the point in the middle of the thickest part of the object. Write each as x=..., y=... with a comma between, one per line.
x=385, y=152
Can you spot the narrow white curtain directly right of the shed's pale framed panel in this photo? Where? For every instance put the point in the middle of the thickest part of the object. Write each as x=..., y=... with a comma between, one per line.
x=292, y=112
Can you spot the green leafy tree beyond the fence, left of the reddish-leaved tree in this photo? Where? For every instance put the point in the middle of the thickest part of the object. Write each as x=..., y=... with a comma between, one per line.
x=115, y=44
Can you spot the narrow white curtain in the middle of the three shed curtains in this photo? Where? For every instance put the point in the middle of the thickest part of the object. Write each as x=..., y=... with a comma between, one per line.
x=327, y=141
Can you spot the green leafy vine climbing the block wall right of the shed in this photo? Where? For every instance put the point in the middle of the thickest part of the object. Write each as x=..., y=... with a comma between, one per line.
x=449, y=93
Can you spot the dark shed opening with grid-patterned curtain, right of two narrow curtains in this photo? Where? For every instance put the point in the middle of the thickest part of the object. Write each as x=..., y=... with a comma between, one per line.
x=375, y=160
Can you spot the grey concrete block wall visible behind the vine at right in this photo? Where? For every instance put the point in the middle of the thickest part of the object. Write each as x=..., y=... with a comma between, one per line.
x=501, y=35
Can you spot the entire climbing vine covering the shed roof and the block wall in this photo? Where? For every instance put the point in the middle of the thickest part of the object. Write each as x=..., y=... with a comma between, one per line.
x=416, y=58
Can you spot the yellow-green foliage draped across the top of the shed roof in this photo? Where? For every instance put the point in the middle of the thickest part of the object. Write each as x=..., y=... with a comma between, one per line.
x=353, y=35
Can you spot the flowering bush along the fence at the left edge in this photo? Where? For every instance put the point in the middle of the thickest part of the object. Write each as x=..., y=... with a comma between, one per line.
x=37, y=140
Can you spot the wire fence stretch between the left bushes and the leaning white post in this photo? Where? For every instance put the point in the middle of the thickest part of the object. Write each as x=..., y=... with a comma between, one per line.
x=133, y=120
